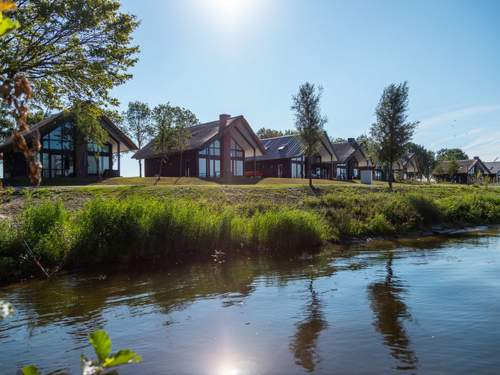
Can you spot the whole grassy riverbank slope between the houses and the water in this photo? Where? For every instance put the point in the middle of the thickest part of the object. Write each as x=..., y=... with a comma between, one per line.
x=81, y=227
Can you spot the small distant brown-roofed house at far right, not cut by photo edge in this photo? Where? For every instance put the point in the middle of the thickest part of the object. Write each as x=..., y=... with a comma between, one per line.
x=461, y=171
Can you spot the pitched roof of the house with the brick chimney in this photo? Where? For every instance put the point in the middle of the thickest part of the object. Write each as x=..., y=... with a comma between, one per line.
x=201, y=135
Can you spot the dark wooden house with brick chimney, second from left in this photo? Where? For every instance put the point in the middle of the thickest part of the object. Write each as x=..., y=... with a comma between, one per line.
x=215, y=150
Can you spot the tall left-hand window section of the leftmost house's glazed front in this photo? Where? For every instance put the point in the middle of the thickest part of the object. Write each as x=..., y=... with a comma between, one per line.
x=58, y=152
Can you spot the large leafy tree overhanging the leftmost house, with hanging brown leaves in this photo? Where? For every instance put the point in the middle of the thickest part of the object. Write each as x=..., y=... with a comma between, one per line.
x=68, y=52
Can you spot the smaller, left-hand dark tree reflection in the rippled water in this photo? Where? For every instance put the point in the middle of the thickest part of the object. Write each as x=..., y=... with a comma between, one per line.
x=305, y=339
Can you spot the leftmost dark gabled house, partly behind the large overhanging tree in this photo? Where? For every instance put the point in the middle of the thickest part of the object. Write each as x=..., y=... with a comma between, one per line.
x=66, y=153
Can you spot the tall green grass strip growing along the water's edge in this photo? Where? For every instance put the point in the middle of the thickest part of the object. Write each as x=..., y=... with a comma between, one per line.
x=112, y=231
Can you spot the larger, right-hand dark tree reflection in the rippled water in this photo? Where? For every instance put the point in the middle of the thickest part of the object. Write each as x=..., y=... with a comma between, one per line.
x=390, y=309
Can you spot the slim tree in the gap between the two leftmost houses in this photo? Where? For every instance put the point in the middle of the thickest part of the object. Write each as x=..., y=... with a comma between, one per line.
x=138, y=125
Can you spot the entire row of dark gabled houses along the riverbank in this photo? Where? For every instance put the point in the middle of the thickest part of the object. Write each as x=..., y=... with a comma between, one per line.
x=226, y=149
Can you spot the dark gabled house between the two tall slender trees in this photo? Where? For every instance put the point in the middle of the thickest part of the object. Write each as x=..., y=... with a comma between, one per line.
x=350, y=160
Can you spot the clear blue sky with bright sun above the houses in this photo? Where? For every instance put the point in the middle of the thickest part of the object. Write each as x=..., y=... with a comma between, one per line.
x=249, y=56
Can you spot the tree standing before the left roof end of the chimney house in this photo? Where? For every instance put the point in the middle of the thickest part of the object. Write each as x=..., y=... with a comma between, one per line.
x=171, y=131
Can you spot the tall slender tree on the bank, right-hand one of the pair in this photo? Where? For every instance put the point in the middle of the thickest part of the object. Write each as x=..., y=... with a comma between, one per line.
x=392, y=131
